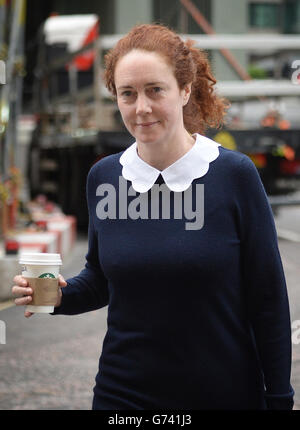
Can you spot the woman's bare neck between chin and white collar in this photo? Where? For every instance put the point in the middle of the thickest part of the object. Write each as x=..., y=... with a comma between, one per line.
x=162, y=155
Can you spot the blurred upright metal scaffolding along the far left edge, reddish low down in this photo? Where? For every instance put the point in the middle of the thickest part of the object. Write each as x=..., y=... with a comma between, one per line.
x=12, y=18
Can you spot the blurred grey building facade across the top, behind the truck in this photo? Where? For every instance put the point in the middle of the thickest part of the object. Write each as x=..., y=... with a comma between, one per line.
x=225, y=16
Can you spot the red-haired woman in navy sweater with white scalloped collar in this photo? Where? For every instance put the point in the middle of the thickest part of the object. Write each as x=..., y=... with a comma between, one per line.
x=198, y=314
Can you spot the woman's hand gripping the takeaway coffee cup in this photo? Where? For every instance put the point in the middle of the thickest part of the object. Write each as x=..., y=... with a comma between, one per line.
x=23, y=292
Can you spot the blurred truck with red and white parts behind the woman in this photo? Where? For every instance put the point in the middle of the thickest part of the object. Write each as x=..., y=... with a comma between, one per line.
x=78, y=122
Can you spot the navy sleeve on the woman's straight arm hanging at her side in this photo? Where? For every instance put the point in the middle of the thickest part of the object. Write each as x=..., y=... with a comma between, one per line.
x=265, y=287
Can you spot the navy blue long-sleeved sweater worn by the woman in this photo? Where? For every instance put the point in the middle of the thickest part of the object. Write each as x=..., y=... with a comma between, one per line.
x=197, y=319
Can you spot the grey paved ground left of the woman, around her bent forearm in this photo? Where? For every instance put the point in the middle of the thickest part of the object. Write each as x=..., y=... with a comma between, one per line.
x=50, y=362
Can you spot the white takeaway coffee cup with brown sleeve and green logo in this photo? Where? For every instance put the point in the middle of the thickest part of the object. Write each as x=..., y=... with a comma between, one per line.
x=41, y=270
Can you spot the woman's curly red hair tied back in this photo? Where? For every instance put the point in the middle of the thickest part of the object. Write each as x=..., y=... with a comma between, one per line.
x=190, y=65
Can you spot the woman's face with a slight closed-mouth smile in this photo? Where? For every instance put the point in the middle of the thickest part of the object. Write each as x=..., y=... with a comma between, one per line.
x=149, y=98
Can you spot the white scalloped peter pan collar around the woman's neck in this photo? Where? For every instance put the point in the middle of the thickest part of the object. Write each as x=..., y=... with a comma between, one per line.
x=179, y=175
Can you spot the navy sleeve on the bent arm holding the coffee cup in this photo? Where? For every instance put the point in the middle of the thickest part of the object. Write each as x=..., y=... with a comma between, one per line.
x=87, y=291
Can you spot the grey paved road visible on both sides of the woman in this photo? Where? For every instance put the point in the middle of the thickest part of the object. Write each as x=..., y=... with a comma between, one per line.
x=50, y=362
